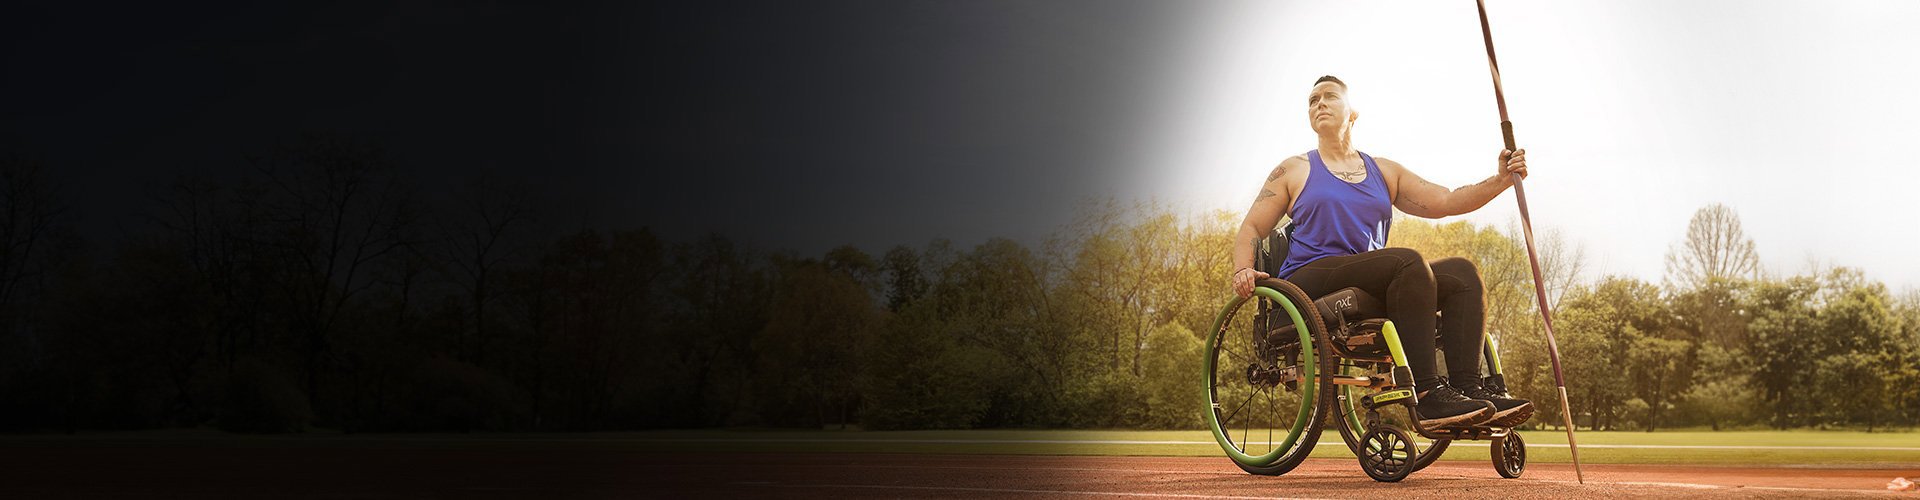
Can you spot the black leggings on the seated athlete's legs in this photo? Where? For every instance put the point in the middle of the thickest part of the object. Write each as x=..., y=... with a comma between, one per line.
x=1414, y=289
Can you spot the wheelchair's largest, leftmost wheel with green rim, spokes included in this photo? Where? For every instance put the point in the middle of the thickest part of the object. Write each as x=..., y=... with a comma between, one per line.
x=1245, y=382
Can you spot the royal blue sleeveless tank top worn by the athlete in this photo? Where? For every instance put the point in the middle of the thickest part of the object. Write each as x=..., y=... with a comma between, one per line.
x=1337, y=218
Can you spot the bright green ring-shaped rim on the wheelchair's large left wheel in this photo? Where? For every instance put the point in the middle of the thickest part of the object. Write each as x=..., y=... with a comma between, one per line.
x=1310, y=384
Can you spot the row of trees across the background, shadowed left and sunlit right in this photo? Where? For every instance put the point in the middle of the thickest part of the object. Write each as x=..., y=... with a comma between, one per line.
x=327, y=293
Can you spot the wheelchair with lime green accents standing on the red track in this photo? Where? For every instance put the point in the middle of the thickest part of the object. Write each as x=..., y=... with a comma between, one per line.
x=1297, y=364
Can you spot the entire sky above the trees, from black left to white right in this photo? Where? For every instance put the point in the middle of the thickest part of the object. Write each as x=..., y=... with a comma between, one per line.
x=800, y=126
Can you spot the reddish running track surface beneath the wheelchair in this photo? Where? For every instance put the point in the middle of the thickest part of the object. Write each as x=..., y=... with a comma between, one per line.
x=201, y=472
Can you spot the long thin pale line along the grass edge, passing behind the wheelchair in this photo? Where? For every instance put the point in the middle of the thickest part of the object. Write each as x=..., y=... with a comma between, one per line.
x=1070, y=441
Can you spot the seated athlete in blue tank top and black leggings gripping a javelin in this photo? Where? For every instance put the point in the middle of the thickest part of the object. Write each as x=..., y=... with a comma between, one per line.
x=1343, y=205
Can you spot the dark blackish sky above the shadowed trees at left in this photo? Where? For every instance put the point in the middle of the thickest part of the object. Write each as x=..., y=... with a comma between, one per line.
x=786, y=124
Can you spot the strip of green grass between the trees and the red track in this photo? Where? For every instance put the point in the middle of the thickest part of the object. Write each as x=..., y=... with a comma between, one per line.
x=1810, y=449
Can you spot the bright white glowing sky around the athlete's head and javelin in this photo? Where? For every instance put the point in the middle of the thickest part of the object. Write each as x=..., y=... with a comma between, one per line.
x=1802, y=116
